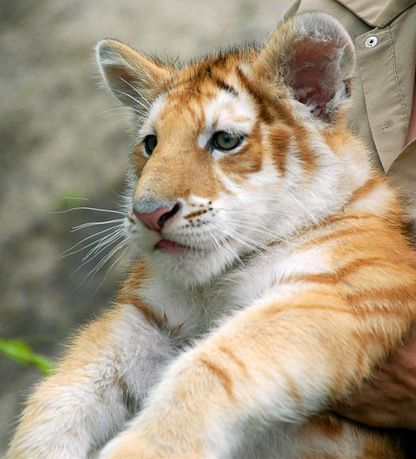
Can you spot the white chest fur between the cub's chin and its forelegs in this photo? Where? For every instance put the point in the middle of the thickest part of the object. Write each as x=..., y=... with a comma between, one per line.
x=197, y=310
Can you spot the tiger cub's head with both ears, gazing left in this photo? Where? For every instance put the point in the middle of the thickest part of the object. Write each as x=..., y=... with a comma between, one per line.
x=235, y=151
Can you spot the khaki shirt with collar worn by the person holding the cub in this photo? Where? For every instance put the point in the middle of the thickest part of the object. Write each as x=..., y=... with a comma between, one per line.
x=384, y=34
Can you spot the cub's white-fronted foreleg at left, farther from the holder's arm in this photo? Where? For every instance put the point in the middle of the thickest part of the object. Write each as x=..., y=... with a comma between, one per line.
x=98, y=385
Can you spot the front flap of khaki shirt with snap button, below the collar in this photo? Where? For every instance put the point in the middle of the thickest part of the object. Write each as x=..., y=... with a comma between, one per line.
x=387, y=76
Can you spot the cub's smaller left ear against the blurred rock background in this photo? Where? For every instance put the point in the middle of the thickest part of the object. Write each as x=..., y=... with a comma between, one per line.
x=135, y=79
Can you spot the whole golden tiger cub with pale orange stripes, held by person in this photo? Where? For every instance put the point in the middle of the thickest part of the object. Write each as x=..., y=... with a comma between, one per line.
x=271, y=275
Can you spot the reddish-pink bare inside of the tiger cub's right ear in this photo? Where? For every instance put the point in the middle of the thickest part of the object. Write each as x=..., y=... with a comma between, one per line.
x=313, y=75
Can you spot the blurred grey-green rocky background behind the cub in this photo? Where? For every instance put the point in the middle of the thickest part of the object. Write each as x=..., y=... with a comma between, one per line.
x=60, y=139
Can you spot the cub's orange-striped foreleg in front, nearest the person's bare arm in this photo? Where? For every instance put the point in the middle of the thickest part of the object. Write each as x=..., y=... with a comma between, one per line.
x=280, y=360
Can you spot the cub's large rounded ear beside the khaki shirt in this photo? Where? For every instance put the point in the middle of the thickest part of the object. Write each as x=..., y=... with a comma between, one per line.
x=313, y=55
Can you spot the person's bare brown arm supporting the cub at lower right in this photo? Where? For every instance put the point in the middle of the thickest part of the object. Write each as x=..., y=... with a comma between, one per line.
x=390, y=399
